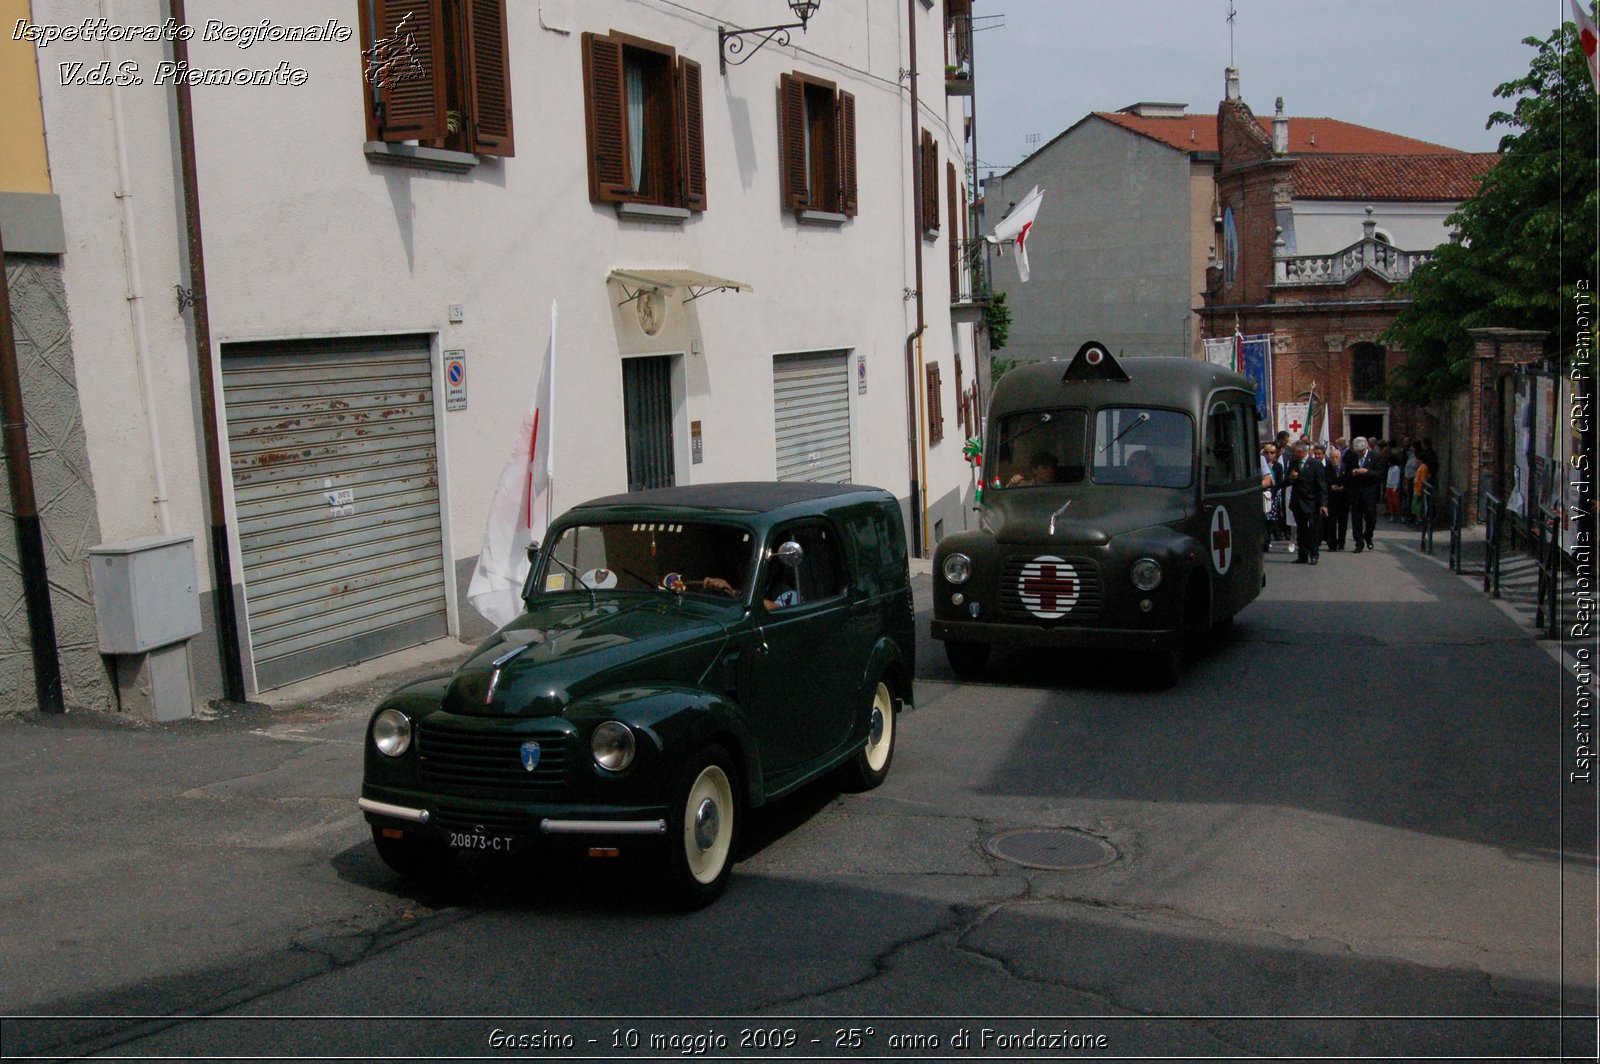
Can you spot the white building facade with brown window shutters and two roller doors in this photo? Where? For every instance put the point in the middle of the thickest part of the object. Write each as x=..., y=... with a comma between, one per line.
x=750, y=279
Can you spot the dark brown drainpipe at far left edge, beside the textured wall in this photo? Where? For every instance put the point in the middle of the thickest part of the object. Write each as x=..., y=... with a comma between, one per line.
x=25, y=513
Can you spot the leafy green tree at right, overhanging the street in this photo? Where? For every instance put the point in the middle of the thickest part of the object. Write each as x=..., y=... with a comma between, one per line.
x=1524, y=241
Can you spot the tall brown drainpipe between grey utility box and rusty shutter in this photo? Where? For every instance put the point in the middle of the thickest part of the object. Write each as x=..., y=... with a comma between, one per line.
x=222, y=559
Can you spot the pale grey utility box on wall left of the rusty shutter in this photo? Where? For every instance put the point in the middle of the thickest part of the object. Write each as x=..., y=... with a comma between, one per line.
x=145, y=594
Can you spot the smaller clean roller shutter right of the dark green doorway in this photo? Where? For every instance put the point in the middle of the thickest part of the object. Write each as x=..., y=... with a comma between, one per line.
x=812, y=417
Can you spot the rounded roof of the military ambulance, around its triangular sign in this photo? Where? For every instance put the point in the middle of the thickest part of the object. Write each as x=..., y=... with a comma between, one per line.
x=1154, y=380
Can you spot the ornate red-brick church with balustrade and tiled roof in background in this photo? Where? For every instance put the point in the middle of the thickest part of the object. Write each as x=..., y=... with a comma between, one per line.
x=1314, y=239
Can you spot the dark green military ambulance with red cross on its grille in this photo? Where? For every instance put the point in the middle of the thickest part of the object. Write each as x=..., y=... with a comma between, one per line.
x=1121, y=511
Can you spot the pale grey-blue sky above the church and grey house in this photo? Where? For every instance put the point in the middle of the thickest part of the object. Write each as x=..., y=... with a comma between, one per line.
x=1422, y=68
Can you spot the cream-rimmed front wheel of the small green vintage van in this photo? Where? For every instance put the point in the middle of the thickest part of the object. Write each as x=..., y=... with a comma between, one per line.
x=702, y=831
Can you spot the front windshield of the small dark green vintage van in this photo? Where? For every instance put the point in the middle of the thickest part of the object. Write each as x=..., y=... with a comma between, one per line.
x=710, y=559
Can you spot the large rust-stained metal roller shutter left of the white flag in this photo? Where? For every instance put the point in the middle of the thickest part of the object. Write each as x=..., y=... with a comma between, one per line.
x=337, y=489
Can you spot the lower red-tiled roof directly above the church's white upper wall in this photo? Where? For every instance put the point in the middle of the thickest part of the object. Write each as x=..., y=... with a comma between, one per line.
x=1441, y=178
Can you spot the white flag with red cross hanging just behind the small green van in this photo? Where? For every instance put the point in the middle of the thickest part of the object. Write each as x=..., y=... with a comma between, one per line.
x=521, y=510
